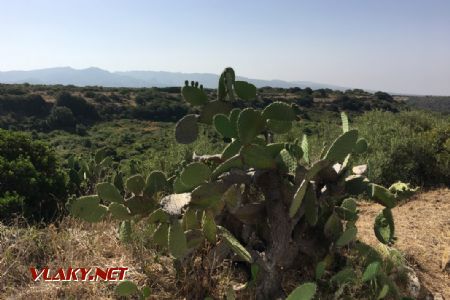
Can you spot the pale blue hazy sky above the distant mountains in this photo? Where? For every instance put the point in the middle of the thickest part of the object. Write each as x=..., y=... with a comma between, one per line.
x=398, y=46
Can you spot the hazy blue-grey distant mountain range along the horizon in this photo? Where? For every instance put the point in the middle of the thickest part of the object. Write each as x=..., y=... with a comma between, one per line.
x=100, y=77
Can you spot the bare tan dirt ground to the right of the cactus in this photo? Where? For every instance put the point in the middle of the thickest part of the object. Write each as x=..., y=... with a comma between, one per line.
x=422, y=226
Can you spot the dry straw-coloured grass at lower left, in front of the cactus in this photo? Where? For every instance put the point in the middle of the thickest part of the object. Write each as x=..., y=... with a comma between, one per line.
x=78, y=244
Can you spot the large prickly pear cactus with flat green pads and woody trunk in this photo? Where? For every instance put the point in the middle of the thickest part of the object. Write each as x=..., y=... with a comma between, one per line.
x=266, y=202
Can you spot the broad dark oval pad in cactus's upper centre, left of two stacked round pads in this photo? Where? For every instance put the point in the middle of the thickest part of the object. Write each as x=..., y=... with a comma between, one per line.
x=250, y=124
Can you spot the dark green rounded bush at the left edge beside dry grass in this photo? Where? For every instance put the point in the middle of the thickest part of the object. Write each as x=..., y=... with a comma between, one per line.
x=29, y=174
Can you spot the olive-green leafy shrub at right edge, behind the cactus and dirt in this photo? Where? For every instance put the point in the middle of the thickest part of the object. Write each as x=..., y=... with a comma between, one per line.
x=409, y=146
